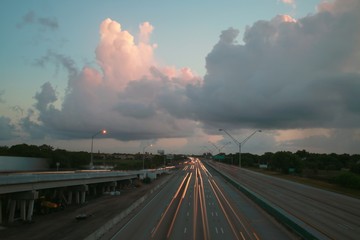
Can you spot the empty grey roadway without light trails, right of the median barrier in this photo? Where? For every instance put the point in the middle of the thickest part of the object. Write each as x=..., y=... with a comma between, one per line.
x=333, y=215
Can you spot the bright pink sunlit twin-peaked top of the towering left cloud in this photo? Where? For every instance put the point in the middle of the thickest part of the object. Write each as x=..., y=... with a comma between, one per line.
x=120, y=58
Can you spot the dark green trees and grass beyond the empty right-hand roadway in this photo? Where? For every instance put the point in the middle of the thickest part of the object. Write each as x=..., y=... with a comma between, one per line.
x=342, y=169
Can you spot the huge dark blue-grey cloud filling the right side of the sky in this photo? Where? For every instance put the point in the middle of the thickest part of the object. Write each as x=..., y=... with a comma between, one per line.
x=287, y=74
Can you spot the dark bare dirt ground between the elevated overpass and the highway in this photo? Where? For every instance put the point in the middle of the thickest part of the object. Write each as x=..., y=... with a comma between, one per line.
x=63, y=224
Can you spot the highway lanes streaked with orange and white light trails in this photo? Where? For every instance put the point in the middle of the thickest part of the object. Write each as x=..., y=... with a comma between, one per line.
x=198, y=204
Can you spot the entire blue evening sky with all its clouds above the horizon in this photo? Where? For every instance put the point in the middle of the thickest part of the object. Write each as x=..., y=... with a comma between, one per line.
x=171, y=73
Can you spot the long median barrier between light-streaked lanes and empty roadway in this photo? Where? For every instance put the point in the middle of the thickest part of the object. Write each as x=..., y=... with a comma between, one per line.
x=280, y=215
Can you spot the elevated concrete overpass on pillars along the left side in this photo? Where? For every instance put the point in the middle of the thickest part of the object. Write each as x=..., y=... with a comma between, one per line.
x=18, y=191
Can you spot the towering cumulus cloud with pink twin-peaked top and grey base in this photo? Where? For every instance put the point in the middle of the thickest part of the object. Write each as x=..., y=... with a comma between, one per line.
x=123, y=95
